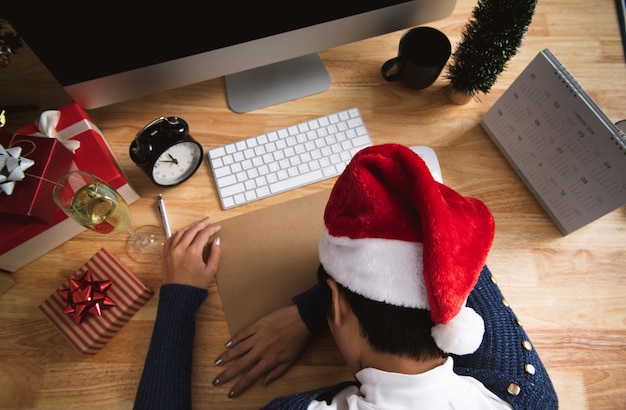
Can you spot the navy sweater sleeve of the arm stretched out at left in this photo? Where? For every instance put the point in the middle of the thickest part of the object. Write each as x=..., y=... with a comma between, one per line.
x=166, y=379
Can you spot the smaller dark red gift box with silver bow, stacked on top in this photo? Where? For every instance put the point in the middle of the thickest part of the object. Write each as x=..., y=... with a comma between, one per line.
x=31, y=200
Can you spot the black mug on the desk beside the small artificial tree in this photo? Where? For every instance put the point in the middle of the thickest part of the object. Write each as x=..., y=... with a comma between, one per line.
x=422, y=54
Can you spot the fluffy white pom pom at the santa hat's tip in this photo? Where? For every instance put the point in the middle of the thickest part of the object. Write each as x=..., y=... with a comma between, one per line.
x=462, y=335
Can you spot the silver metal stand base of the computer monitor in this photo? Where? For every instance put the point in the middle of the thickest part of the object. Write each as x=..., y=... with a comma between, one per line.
x=276, y=83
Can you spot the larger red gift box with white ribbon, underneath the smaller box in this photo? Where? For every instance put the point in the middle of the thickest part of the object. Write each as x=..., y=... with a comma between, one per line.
x=21, y=244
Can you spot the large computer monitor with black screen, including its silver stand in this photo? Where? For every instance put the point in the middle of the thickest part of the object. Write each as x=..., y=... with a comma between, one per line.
x=107, y=52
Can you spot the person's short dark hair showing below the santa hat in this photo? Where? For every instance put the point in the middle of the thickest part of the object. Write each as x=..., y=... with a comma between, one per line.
x=389, y=329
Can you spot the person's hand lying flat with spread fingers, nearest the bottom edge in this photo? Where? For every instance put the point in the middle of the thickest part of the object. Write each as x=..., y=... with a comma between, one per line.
x=264, y=349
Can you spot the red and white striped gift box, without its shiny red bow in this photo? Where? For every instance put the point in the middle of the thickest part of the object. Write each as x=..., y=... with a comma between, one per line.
x=128, y=293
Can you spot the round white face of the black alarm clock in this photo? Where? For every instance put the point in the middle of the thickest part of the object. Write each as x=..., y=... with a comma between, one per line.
x=177, y=163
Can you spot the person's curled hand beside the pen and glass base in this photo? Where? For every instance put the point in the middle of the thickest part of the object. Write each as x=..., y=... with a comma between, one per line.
x=183, y=261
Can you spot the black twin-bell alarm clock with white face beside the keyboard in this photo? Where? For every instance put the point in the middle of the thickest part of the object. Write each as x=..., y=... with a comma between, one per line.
x=166, y=152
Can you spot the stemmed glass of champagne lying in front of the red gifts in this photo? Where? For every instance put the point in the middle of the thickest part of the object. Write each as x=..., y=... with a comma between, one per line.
x=96, y=205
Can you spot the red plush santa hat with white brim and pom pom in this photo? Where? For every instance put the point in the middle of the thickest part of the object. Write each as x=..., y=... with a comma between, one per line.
x=393, y=234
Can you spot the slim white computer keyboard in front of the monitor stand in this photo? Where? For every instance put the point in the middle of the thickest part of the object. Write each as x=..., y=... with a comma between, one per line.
x=288, y=158
